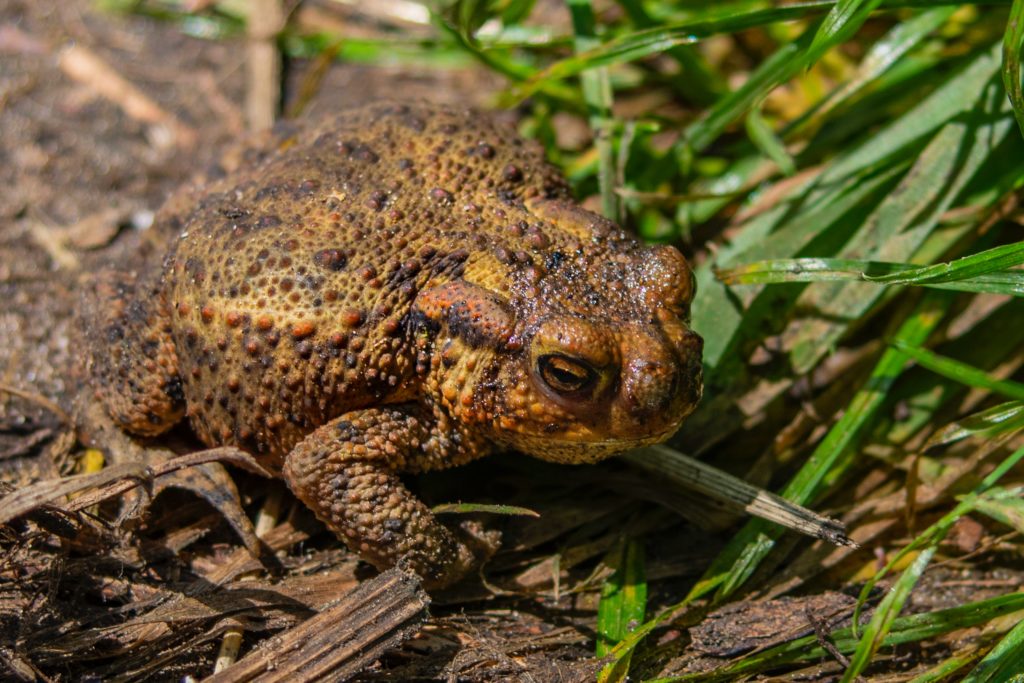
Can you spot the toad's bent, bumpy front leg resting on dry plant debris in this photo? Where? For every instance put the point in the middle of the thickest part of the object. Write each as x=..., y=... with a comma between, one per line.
x=347, y=473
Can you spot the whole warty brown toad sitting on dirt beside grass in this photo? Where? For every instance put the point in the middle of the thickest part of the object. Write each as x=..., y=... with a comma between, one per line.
x=401, y=289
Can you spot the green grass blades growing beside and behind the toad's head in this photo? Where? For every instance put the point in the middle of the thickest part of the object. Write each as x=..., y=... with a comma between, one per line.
x=854, y=166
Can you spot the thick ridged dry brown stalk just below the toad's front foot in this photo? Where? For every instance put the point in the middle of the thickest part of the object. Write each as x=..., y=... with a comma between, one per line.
x=344, y=639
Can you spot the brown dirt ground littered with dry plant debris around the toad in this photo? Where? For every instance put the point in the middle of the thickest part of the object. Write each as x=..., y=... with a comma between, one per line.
x=83, y=599
